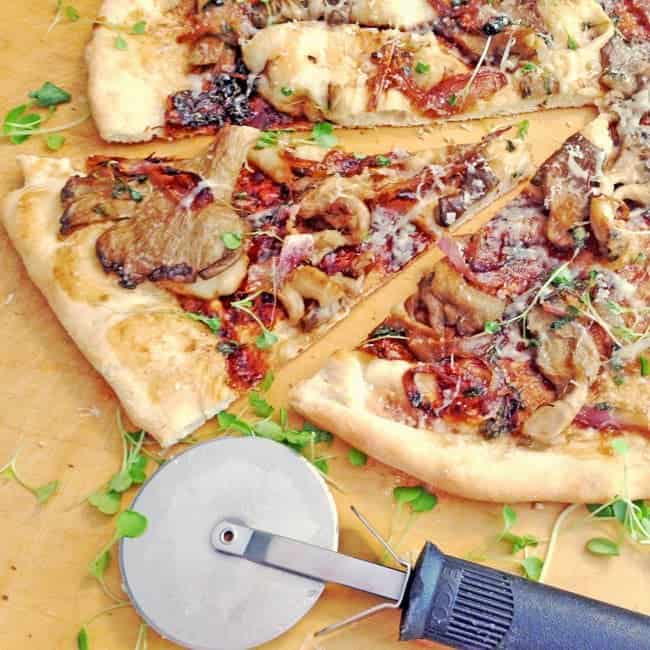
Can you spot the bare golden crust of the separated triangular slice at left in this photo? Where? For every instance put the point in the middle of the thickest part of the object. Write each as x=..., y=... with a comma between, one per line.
x=163, y=367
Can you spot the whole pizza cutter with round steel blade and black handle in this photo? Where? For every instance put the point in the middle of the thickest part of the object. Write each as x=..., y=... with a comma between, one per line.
x=242, y=538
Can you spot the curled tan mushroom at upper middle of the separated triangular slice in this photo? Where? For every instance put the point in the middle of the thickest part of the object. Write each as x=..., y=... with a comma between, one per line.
x=339, y=201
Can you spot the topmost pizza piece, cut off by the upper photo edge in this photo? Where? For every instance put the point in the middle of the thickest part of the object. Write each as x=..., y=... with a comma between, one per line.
x=276, y=64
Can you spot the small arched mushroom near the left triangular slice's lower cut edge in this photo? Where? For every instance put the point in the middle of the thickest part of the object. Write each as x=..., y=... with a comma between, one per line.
x=307, y=282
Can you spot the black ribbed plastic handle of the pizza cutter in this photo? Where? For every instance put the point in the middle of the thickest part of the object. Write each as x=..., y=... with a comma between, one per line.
x=466, y=605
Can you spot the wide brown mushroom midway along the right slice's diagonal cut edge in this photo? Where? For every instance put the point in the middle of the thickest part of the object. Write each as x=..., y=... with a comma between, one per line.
x=451, y=300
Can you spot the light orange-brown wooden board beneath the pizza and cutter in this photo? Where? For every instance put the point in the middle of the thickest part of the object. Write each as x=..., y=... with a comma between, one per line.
x=62, y=414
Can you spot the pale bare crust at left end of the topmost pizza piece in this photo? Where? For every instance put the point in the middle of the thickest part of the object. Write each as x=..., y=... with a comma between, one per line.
x=128, y=89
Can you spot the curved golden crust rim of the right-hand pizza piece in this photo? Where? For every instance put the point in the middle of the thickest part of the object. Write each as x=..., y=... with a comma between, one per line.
x=341, y=399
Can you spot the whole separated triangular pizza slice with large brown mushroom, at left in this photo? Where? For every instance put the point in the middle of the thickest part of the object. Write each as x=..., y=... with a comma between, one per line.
x=184, y=281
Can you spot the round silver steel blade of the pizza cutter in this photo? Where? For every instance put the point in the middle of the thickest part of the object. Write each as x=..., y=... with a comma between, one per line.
x=192, y=594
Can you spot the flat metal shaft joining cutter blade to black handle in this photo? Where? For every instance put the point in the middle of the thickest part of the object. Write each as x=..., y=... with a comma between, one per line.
x=307, y=560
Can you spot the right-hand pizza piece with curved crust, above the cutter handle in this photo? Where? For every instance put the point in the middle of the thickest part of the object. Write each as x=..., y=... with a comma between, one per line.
x=526, y=349
